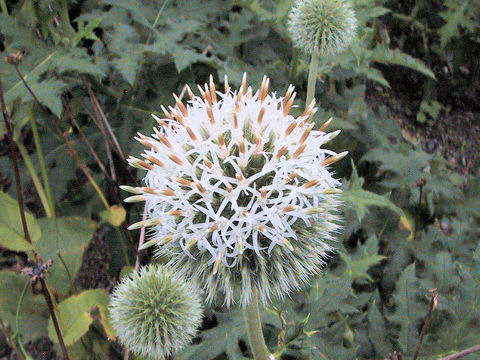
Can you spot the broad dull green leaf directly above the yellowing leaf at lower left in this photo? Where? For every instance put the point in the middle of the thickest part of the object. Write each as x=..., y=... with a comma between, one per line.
x=68, y=236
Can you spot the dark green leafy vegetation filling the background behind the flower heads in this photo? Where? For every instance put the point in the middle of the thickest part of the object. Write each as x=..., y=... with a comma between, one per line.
x=411, y=217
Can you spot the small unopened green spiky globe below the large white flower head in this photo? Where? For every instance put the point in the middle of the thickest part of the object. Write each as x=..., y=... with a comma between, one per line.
x=155, y=312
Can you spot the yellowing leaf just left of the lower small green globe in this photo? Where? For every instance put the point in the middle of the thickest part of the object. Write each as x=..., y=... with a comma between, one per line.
x=78, y=312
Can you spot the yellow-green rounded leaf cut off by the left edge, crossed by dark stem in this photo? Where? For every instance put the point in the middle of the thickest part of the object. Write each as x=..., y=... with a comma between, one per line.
x=11, y=230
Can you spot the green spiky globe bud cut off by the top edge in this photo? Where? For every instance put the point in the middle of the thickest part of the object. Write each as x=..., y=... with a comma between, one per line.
x=325, y=27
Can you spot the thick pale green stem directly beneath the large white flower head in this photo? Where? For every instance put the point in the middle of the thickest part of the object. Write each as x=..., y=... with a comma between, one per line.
x=254, y=330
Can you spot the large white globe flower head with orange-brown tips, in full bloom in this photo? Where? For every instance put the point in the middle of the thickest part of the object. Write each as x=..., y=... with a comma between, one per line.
x=239, y=194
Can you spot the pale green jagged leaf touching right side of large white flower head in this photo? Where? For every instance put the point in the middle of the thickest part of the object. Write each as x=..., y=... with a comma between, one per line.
x=359, y=200
